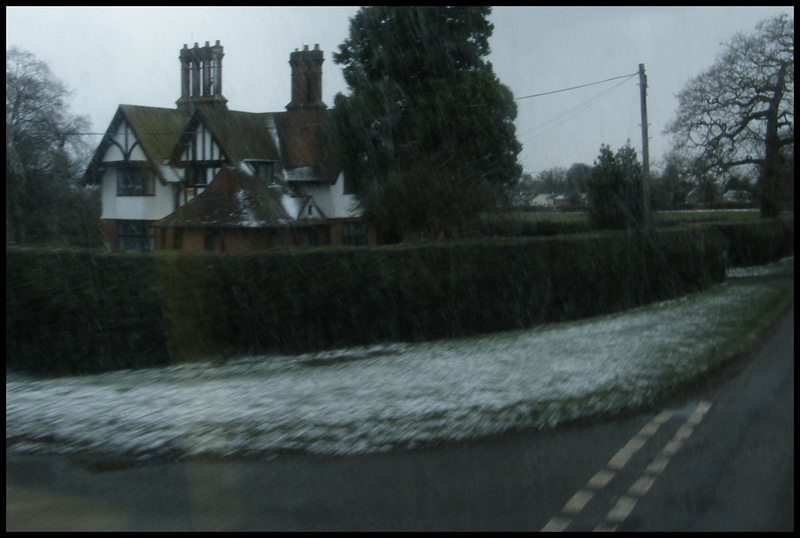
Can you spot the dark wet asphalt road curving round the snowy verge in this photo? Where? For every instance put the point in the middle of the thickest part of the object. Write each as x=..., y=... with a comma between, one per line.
x=720, y=456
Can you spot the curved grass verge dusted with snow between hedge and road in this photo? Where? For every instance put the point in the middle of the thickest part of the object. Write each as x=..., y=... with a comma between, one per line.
x=372, y=399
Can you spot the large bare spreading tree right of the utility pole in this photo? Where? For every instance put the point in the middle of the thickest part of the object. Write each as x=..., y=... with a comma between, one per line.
x=740, y=111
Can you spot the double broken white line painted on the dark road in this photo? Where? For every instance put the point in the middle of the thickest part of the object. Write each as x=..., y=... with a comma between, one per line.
x=639, y=489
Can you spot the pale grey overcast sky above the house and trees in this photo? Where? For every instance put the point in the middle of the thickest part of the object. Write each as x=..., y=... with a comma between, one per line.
x=113, y=56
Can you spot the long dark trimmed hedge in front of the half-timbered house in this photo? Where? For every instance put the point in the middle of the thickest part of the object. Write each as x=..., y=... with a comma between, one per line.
x=74, y=312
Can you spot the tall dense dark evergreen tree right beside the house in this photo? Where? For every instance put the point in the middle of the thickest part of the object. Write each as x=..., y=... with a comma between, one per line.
x=426, y=134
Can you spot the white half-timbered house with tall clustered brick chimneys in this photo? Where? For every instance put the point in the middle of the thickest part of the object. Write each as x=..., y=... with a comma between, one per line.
x=201, y=176
